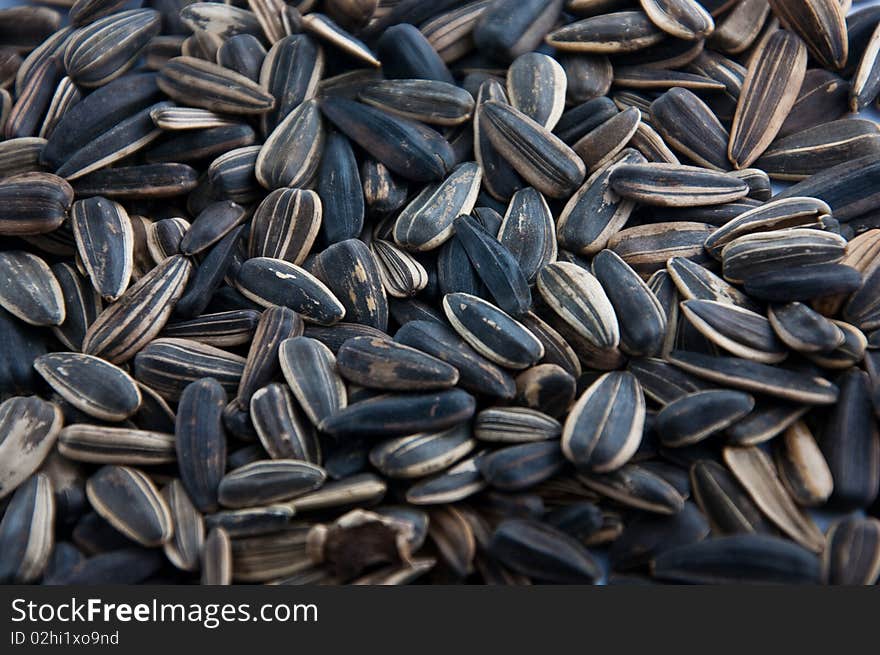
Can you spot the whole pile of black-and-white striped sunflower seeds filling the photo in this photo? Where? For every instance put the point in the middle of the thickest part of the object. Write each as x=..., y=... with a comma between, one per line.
x=485, y=291
